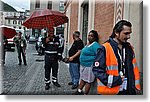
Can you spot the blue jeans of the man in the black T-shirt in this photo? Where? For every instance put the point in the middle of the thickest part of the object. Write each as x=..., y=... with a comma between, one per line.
x=74, y=72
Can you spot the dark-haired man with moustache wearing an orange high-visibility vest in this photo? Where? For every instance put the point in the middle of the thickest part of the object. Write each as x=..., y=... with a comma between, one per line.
x=115, y=65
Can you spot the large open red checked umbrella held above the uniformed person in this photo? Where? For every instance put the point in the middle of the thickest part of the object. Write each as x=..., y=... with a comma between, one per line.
x=46, y=18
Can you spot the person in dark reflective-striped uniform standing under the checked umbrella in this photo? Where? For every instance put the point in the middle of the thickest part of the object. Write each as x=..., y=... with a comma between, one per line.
x=52, y=55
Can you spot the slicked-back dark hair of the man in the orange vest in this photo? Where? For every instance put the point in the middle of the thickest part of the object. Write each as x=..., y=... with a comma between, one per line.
x=119, y=27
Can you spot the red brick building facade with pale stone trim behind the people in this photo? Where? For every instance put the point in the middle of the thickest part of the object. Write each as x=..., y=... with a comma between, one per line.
x=101, y=15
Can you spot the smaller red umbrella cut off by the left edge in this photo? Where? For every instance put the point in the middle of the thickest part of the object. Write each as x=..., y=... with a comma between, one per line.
x=9, y=32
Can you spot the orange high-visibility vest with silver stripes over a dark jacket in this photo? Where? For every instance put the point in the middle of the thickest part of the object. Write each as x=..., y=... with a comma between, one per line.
x=112, y=70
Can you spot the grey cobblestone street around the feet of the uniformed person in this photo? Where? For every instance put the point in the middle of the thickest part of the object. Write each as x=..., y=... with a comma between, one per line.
x=29, y=79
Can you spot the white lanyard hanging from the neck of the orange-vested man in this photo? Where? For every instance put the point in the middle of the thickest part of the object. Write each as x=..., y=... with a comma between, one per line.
x=122, y=59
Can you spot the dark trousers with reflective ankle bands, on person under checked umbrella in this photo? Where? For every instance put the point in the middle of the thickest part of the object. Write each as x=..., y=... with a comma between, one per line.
x=51, y=63
